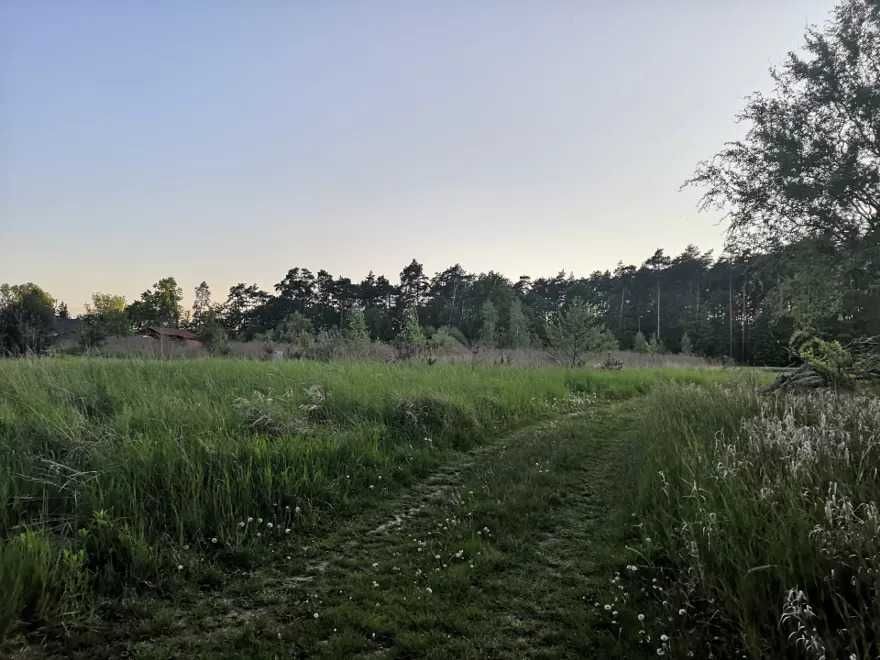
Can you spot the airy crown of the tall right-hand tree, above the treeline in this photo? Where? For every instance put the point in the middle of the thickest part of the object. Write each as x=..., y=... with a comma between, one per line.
x=809, y=166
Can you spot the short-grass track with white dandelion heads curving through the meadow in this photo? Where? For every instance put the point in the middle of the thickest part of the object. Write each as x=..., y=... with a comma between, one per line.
x=499, y=554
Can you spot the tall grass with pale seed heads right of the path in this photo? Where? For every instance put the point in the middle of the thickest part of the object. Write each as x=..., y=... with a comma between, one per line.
x=766, y=509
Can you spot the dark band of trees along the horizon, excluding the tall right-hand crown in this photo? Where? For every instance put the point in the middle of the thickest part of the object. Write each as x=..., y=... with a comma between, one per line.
x=745, y=308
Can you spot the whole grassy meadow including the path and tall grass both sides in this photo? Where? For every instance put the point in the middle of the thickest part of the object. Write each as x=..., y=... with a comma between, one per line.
x=224, y=508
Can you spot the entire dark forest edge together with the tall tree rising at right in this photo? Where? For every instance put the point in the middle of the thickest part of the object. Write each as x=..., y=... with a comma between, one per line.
x=800, y=192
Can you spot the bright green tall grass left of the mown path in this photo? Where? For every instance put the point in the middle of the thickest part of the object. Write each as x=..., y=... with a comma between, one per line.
x=109, y=467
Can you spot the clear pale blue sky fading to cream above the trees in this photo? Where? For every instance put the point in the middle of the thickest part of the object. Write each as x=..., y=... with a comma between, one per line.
x=230, y=141
